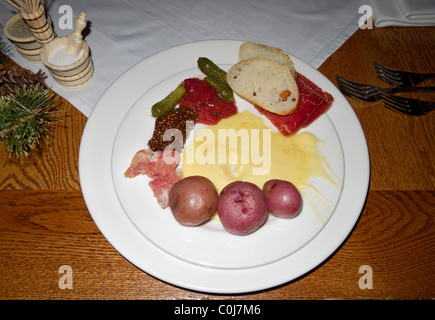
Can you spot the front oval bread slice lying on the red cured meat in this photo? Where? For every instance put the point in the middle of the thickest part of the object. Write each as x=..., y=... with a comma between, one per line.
x=265, y=83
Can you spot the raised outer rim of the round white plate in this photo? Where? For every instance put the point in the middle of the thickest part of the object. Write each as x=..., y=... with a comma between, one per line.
x=205, y=278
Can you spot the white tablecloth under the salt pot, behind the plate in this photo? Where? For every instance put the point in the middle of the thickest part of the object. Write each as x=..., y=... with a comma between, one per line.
x=124, y=32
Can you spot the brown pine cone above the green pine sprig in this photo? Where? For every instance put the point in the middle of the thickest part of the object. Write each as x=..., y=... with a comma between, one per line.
x=16, y=78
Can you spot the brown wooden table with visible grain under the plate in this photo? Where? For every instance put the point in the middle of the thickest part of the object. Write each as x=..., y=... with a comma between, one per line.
x=45, y=224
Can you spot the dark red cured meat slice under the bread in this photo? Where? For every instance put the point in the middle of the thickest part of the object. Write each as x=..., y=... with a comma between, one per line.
x=313, y=102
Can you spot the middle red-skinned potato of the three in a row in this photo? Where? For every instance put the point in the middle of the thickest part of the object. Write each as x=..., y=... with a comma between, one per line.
x=242, y=208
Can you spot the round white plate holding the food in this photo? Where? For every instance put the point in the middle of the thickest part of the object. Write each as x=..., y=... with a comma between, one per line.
x=128, y=215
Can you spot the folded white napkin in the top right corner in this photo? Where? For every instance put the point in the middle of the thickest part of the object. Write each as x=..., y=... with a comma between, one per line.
x=403, y=12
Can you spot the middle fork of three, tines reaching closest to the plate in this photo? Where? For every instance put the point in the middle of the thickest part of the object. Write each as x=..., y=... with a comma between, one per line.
x=370, y=93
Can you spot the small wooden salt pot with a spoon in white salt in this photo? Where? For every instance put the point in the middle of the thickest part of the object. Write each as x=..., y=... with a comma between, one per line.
x=68, y=59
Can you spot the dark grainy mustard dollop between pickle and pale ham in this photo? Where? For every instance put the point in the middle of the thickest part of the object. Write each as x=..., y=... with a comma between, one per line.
x=176, y=119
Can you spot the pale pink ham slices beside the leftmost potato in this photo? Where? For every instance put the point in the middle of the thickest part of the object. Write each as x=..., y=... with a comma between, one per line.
x=161, y=167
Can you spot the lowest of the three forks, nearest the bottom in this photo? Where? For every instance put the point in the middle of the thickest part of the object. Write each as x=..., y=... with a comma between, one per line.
x=409, y=106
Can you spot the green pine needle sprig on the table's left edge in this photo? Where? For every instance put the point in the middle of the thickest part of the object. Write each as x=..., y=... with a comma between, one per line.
x=25, y=119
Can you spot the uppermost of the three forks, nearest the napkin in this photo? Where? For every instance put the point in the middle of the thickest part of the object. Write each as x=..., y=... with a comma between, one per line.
x=400, y=78
